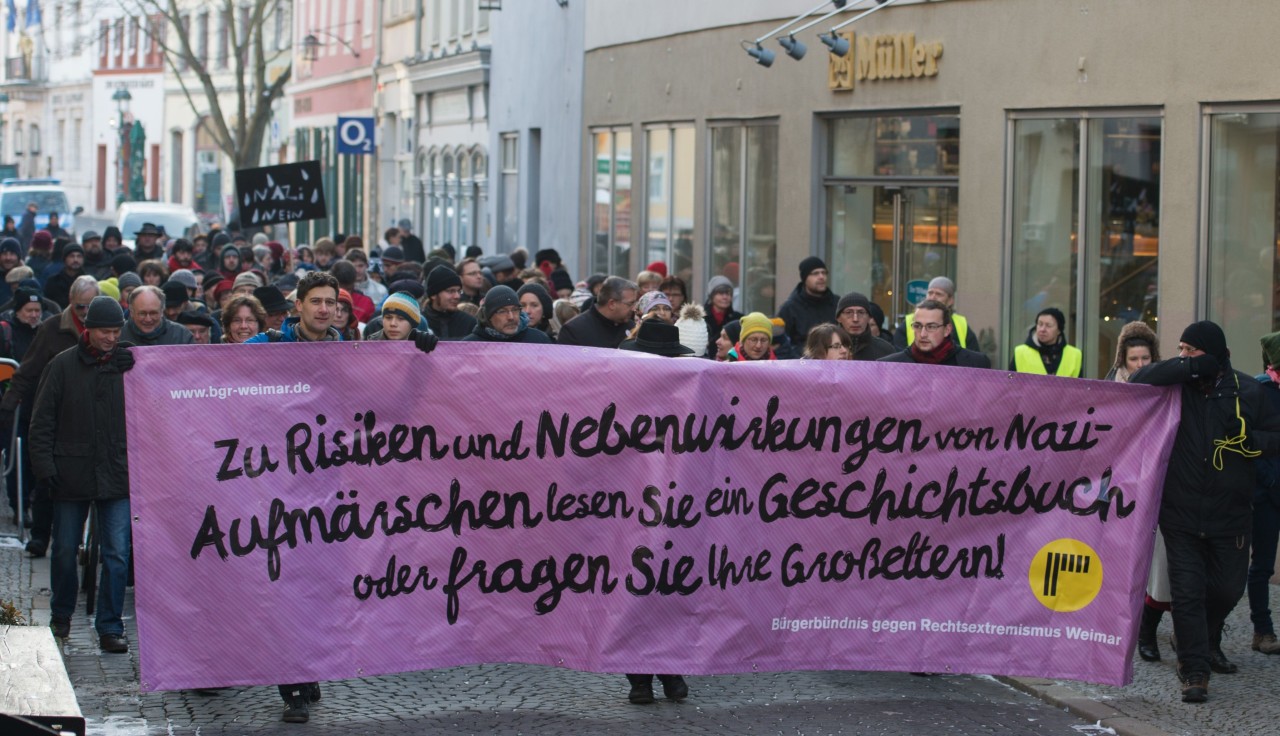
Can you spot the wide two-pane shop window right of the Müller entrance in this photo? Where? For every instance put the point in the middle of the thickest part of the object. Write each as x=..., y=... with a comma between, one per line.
x=1085, y=231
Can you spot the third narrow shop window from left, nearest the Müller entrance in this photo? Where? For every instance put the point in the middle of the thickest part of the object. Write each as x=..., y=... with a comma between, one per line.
x=744, y=209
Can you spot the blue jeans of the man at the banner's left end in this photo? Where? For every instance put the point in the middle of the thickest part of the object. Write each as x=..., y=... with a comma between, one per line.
x=113, y=534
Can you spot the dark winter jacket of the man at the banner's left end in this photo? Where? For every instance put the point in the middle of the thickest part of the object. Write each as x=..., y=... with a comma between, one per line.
x=77, y=431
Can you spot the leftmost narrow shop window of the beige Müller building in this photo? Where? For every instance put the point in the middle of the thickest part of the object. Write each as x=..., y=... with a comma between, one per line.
x=611, y=207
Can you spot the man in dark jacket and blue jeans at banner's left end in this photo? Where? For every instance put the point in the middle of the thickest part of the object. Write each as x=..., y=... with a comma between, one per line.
x=79, y=454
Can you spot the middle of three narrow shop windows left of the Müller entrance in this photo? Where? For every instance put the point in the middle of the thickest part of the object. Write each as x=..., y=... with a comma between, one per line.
x=670, y=199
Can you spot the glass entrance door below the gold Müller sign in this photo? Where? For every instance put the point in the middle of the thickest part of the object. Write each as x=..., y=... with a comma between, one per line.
x=884, y=237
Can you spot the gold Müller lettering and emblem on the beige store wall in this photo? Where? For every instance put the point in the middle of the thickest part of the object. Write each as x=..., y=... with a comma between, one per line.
x=883, y=58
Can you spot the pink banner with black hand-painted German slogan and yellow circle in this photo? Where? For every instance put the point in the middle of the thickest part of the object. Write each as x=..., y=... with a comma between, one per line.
x=333, y=511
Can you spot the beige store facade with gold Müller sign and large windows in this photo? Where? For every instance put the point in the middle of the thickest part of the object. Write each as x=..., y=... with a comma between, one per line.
x=1127, y=156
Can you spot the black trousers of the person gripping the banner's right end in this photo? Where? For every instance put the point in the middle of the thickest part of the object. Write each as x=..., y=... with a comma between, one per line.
x=1208, y=577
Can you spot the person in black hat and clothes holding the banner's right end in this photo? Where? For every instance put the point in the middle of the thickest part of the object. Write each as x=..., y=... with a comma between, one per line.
x=1205, y=513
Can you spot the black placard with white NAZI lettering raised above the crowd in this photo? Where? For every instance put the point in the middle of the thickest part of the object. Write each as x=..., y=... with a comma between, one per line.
x=284, y=194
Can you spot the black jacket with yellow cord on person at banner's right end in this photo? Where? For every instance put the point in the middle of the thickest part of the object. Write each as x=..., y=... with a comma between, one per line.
x=1200, y=499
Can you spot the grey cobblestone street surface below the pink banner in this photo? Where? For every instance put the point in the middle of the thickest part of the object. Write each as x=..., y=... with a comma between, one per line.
x=527, y=700
